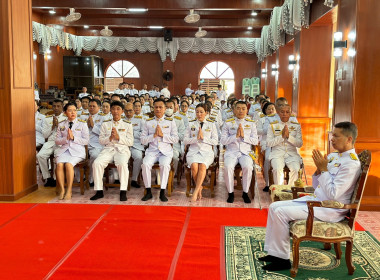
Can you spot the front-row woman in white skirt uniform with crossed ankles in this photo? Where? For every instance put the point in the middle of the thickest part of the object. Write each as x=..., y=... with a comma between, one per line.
x=201, y=135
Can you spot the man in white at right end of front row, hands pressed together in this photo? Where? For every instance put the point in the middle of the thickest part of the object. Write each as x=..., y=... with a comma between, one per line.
x=284, y=137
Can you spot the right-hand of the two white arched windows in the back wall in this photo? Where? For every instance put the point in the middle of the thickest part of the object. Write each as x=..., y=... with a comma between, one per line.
x=215, y=73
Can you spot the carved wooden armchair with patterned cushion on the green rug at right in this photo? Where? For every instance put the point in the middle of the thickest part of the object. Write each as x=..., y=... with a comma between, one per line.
x=302, y=230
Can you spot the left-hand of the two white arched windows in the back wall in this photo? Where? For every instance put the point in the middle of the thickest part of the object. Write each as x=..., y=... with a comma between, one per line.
x=117, y=71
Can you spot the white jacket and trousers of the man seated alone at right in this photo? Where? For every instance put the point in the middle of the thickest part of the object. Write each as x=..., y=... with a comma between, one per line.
x=337, y=183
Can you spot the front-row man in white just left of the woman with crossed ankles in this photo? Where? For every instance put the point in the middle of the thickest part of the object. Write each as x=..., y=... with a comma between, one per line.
x=160, y=134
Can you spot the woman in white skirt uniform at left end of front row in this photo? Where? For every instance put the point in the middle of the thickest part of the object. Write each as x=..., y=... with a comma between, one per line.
x=72, y=136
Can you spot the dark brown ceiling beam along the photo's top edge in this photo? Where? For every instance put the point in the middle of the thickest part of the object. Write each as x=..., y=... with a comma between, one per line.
x=159, y=4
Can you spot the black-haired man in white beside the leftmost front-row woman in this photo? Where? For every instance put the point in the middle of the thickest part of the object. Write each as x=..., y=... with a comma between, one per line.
x=117, y=136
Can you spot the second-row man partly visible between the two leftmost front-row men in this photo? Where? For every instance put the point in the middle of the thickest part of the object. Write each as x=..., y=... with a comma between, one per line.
x=137, y=149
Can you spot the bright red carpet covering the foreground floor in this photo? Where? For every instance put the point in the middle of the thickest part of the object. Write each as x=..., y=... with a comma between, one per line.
x=56, y=241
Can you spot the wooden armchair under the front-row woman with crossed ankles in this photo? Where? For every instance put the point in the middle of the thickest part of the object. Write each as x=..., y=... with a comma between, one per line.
x=212, y=169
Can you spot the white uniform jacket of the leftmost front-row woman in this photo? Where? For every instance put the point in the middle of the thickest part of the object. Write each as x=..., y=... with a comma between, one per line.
x=81, y=138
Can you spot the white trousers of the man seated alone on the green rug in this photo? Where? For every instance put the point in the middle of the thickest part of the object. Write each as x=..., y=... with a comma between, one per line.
x=277, y=240
